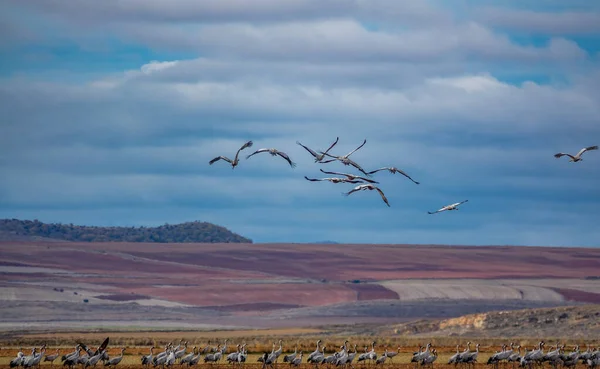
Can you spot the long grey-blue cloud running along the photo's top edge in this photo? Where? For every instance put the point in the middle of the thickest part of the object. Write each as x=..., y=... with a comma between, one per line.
x=213, y=11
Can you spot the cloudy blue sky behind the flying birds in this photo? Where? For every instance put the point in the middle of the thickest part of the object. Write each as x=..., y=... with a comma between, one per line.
x=111, y=110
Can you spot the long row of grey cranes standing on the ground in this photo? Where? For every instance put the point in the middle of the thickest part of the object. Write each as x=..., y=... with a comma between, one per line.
x=424, y=356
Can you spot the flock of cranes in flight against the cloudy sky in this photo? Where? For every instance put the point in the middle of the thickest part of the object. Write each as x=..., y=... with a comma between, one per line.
x=364, y=182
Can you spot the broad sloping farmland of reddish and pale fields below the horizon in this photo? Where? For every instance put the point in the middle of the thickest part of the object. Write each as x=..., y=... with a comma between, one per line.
x=282, y=285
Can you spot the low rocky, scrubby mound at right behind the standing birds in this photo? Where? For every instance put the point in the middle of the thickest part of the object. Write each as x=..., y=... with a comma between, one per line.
x=569, y=321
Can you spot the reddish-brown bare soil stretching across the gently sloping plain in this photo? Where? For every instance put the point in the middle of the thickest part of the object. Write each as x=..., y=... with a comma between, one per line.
x=249, y=275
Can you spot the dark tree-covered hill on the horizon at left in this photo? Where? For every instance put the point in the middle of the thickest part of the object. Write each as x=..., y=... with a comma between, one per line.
x=201, y=232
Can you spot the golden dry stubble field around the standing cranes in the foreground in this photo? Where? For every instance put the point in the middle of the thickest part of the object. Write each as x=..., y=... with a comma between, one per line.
x=257, y=342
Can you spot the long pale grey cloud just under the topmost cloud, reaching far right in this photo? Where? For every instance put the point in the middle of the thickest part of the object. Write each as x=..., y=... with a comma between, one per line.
x=344, y=40
